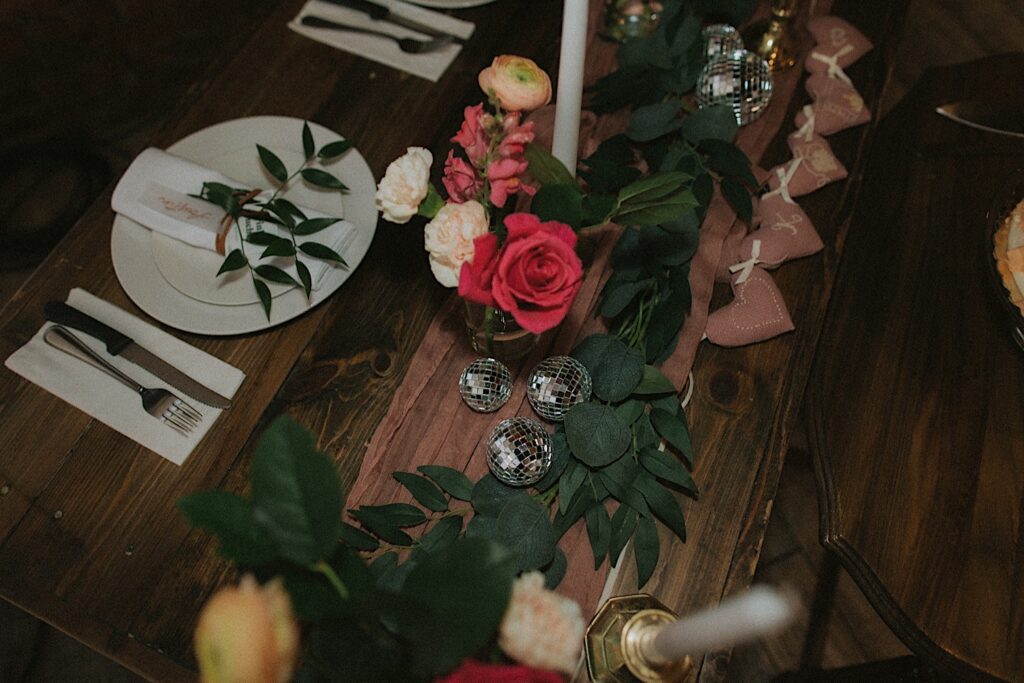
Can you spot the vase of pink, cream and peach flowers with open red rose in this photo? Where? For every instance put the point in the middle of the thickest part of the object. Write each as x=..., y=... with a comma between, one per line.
x=519, y=274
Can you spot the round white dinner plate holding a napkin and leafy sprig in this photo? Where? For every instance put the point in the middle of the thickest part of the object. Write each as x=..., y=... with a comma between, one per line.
x=212, y=306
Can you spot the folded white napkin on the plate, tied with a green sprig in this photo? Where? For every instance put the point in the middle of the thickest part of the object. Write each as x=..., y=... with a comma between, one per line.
x=155, y=193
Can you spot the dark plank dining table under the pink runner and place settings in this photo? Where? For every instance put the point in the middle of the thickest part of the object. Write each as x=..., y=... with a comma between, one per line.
x=90, y=538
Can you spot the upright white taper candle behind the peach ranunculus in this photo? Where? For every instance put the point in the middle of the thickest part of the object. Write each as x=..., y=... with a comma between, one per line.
x=570, y=96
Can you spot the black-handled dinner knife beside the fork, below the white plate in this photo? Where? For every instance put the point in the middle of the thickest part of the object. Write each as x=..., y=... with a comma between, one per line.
x=122, y=346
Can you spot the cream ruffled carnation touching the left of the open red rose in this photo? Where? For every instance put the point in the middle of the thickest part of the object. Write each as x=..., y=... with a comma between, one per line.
x=450, y=237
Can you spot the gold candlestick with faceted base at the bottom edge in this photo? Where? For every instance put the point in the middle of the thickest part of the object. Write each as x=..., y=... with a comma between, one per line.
x=620, y=644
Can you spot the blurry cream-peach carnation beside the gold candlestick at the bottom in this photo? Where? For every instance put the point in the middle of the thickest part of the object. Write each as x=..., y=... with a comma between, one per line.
x=541, y=629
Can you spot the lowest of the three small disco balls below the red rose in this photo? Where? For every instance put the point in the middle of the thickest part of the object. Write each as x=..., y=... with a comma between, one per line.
x=520, y=452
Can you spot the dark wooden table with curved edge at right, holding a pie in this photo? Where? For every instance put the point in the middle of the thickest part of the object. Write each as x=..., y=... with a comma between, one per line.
x=917, y=401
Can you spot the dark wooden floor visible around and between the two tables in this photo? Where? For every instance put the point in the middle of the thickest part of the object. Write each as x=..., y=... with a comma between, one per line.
x=938, y=32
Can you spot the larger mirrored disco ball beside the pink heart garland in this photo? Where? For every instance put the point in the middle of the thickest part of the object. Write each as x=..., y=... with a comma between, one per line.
x=740, y=79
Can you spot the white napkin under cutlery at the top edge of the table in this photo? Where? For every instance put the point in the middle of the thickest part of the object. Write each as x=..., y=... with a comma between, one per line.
x=429, y=65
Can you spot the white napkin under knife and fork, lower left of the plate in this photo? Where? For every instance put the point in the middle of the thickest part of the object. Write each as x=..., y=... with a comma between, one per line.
x=115, y=405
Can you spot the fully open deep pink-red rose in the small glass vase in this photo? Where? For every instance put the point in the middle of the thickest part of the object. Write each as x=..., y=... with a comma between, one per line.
x=535, y=276
